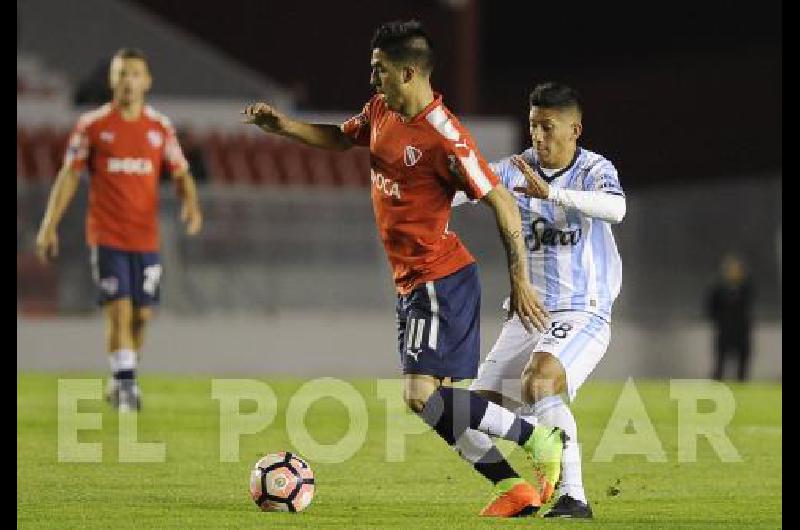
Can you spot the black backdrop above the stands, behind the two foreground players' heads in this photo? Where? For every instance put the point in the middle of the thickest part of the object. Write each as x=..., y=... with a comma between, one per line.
x=674, y=91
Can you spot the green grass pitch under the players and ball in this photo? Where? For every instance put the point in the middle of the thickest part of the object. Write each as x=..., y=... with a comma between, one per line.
x=432, y=488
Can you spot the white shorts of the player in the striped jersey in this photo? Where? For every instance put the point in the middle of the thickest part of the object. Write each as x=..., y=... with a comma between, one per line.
x=577, y=338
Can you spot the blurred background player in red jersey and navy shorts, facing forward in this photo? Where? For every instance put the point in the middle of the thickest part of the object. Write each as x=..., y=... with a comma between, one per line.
x=122, y=146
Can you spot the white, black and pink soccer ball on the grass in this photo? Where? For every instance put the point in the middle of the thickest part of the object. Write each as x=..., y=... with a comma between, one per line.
x=282, y=482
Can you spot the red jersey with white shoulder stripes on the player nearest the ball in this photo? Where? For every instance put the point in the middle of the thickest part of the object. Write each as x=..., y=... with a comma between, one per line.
x=412, y=187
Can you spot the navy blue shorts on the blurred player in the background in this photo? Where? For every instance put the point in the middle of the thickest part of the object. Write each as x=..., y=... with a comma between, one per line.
x=121, y=274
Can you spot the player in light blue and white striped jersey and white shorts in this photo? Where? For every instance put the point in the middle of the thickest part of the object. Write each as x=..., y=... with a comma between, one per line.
x=568, y=198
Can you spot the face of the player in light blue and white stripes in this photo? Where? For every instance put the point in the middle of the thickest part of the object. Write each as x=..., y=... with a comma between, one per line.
x=554, y=133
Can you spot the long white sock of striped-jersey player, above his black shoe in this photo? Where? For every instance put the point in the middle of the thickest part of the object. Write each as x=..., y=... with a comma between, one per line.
x=554, y=412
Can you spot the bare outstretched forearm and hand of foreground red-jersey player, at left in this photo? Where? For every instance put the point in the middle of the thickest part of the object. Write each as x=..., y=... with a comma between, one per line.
x=326, y=136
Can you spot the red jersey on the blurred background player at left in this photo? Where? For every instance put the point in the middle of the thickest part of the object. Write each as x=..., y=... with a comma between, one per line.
x=124, y=161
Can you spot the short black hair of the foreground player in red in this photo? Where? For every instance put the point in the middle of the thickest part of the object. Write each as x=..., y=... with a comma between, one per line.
x=405, y=42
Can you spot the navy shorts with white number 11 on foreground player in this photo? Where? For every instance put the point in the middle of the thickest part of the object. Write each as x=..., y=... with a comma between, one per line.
x=438, y=326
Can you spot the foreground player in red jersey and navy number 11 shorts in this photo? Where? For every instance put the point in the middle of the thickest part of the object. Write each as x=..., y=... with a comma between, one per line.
x=420, y=155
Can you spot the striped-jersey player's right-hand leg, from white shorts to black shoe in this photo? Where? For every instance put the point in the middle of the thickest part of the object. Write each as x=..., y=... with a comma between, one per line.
x=561, y=362
